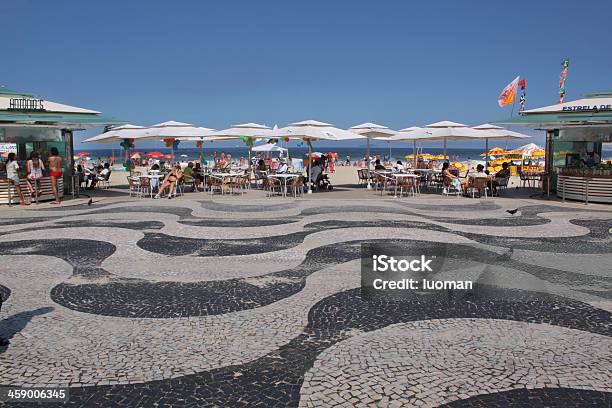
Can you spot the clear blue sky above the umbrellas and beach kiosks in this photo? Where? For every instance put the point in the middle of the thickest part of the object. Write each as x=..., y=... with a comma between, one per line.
x=217, y=63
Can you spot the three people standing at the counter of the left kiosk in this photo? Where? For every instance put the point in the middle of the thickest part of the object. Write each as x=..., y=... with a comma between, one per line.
x=35, y=169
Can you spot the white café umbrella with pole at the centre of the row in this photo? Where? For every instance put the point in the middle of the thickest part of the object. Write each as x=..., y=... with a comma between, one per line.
x=313, y=130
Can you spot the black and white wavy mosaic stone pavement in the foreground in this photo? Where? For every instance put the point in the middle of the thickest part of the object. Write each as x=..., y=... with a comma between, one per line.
x=231, y=302
